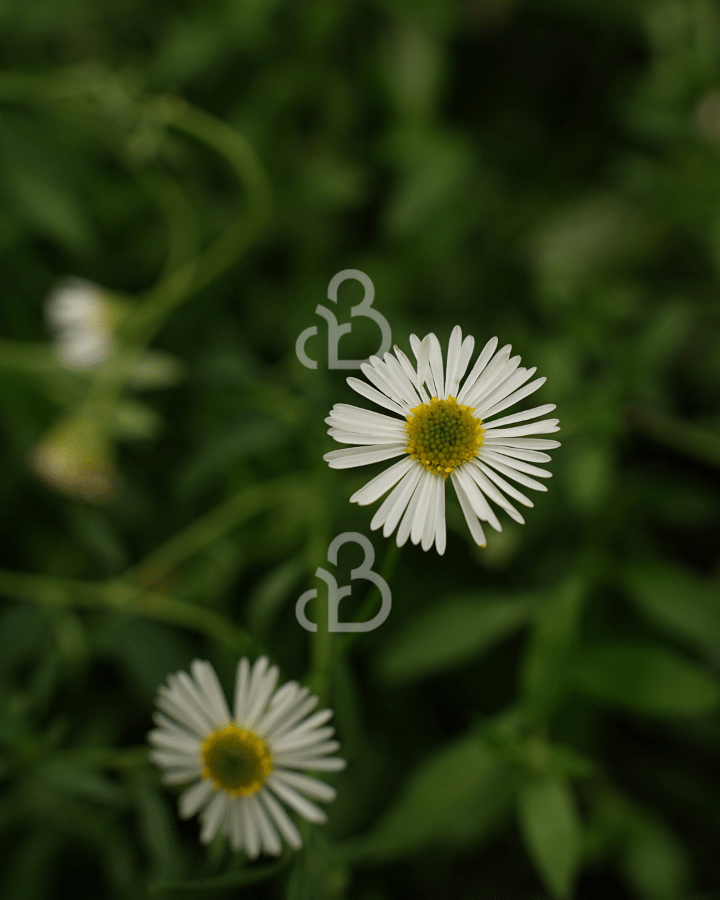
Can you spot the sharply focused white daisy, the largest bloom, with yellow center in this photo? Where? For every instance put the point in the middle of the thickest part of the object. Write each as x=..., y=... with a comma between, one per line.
x=444, y=431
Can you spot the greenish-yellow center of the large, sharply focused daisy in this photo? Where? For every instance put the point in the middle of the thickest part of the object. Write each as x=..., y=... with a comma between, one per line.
x=443, y=434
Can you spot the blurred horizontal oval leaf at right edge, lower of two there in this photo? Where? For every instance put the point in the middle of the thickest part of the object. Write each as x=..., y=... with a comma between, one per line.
x=646, y=679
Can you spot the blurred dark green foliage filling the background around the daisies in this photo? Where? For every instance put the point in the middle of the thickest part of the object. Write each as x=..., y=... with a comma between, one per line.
x=537, y=719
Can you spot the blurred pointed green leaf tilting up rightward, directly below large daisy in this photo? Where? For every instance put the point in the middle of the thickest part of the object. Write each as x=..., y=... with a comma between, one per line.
x=451, y=632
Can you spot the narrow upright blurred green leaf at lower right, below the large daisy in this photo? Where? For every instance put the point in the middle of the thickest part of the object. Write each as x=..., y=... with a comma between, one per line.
x=544, y=677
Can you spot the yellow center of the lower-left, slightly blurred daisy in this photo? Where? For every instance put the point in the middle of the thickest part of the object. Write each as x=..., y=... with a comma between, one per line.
x=236, y=760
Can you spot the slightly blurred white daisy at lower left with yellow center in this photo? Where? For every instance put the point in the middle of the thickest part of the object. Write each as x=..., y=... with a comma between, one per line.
x=243, y=764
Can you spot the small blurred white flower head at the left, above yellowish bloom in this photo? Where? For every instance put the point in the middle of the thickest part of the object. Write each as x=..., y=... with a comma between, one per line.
x=82, y=319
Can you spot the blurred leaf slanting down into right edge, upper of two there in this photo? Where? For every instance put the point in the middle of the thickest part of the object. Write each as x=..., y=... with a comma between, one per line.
x=681, y=603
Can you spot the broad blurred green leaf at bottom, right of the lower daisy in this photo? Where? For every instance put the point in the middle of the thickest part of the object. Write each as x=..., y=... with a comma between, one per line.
x=455, y=797
